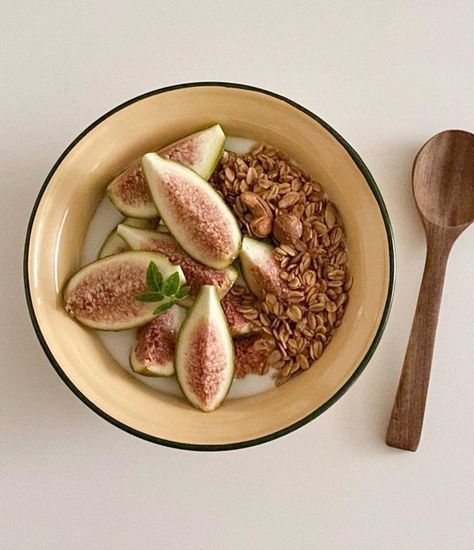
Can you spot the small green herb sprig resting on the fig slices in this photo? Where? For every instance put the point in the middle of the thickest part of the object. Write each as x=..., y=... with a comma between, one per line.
x=159, y=289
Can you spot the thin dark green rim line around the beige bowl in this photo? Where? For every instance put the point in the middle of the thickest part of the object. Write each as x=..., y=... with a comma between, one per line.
x=279, y=433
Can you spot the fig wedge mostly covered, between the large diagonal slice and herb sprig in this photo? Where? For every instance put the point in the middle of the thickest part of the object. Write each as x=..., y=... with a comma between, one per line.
x=196, y=274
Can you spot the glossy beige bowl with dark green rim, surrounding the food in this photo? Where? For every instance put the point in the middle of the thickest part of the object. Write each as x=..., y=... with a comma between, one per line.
x=66, y=205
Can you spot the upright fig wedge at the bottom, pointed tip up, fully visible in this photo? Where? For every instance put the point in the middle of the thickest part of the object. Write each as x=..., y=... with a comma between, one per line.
x=205, y=353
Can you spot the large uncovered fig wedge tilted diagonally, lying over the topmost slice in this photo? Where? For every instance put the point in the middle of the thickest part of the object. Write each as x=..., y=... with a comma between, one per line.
x=192, y=210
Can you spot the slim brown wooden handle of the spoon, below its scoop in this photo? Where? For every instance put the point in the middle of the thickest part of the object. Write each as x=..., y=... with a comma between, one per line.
x=406, y=422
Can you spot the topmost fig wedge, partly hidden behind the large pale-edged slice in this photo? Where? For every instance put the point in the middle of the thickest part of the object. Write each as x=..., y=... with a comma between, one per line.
x=200, y=151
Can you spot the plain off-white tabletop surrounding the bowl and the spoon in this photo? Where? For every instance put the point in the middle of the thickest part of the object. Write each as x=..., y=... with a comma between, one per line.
x=387, y=75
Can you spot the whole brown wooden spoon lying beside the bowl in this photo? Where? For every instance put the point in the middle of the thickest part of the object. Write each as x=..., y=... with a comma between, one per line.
x=443, y=185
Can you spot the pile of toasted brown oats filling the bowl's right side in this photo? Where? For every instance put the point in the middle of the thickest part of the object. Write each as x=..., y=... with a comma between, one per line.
x=296, y=325
